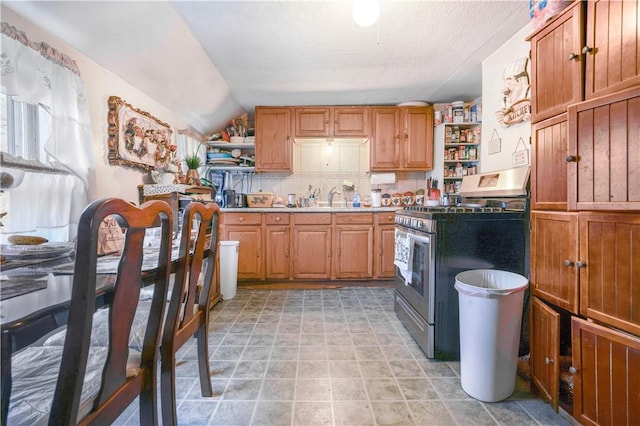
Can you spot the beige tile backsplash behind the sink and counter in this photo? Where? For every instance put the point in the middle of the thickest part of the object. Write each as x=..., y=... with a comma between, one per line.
x=325, y=164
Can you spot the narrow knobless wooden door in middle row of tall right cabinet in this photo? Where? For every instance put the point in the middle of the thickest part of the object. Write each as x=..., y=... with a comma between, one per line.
x=548, y=164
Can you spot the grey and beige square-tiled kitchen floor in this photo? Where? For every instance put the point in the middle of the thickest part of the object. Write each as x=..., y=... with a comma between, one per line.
x=329, y=357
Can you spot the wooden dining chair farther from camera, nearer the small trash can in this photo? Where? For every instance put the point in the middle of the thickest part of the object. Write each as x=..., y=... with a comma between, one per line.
x=189, y=304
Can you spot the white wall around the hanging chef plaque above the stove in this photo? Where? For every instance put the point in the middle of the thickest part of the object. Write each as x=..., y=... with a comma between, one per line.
x=492, y=83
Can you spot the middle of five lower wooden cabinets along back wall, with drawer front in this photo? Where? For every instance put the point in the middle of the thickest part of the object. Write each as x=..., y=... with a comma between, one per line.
x=311, y=245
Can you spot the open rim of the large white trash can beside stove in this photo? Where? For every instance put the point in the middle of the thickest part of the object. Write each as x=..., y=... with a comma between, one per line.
x=490, y=283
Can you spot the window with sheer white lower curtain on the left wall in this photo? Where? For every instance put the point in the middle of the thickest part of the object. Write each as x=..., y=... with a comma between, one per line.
x=36, y=191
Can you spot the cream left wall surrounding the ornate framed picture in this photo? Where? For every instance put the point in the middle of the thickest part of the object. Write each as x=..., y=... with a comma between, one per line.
x=111, y=181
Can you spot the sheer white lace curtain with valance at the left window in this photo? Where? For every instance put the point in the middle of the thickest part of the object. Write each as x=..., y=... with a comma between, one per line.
x=38, y=74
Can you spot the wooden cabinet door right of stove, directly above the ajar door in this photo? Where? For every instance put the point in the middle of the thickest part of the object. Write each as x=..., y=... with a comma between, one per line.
x=554, y=256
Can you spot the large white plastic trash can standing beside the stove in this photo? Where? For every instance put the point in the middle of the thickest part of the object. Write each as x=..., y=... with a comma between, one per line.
x=490, y=303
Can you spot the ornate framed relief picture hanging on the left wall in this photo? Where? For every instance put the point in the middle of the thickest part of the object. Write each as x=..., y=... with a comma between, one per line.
x=136, y=138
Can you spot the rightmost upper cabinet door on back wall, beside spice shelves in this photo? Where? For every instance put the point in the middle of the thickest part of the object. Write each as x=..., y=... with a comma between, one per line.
x=418, y=138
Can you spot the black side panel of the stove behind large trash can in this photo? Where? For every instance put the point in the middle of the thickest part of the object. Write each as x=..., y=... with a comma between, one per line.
x=474, y=241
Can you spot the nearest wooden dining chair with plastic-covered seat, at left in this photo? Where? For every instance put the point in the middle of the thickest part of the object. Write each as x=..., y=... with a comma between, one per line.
x=93, y=385
